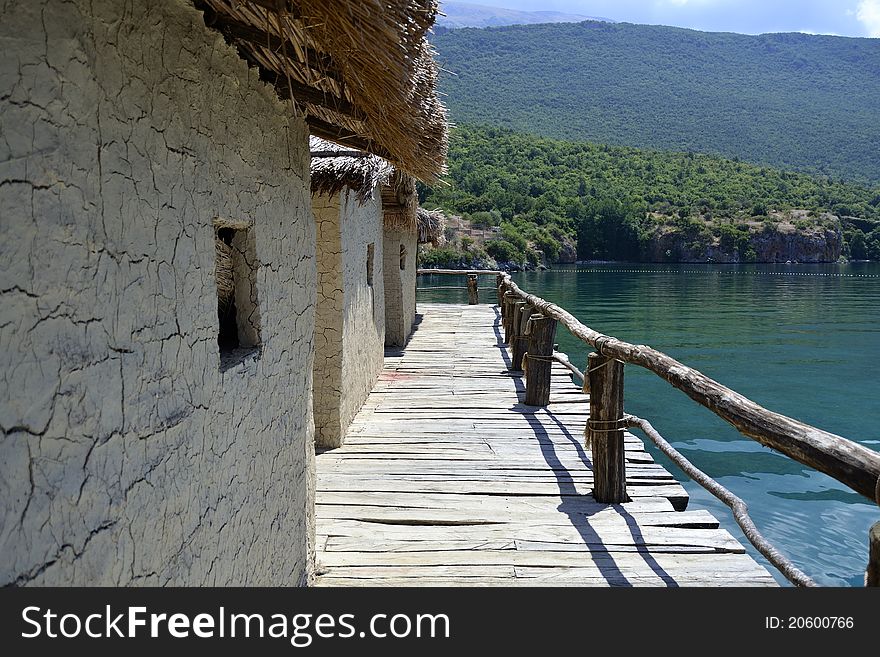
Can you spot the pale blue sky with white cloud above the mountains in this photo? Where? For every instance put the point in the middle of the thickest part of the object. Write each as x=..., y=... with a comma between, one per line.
x=859, y=18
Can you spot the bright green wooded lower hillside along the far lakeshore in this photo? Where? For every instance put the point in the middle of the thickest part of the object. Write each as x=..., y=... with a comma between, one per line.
x=618, y=203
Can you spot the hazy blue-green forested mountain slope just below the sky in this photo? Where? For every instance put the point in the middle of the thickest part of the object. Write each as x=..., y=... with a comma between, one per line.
x=795, y=101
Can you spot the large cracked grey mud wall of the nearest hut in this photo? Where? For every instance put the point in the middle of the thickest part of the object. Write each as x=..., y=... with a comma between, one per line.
x=127, y=457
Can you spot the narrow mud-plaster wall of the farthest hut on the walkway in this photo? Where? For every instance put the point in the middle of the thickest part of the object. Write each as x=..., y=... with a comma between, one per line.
x=400, y=286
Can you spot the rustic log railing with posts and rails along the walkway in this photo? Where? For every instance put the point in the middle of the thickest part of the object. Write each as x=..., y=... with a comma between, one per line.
x=529, y=324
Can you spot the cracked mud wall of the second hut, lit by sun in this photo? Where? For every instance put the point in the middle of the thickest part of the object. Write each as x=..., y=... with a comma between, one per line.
x=350, y=315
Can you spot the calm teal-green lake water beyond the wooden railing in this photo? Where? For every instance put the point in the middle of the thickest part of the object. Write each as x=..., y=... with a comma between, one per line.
x=802, y=340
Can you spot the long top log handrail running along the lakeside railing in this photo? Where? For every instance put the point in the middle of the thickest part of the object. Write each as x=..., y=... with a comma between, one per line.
x=846, y=461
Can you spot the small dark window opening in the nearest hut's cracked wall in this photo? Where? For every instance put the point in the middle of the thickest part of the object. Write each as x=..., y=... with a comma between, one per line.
x=235, y=273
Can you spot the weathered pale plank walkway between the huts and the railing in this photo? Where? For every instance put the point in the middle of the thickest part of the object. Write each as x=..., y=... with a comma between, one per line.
x=447, y=479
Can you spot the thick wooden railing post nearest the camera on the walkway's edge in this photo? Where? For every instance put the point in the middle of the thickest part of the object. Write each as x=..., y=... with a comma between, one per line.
x=606, y=411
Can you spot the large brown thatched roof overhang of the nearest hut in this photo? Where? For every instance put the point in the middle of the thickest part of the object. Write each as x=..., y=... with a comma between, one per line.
x=362, y=71
